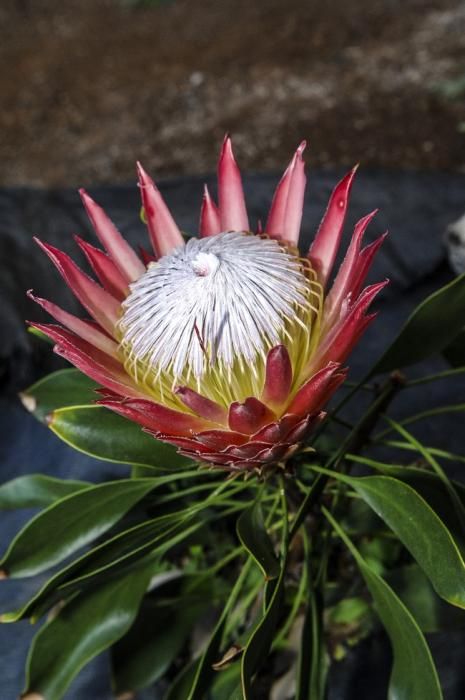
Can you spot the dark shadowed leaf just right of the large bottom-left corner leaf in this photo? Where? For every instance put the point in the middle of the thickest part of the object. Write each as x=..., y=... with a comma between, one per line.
x=164, y=621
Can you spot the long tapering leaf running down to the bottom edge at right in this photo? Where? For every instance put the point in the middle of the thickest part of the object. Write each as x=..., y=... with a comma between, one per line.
x=413, y=675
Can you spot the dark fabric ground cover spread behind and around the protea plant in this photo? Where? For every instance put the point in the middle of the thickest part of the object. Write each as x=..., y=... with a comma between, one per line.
x=415, y=207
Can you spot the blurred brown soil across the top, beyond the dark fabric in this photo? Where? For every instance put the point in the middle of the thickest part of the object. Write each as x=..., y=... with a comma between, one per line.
x=88, y=86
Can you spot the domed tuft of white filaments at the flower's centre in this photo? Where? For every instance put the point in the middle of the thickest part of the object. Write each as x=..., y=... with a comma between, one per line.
x=214, y=300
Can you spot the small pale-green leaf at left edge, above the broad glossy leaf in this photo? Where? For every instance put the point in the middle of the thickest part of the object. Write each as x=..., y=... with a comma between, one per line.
x=36, y=491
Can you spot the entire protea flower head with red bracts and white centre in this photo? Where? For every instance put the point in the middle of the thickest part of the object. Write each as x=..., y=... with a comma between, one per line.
x=226, y=345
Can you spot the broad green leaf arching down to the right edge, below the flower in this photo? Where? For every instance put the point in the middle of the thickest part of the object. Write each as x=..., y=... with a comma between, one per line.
x=418, y=527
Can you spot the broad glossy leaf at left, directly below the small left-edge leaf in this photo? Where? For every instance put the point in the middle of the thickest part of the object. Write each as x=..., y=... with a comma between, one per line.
x=71, y=523
